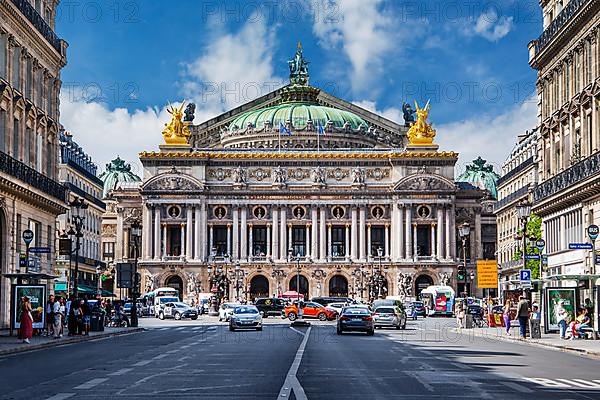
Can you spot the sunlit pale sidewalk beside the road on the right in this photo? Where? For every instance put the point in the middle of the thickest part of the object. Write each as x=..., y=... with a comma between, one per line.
x=550, y=340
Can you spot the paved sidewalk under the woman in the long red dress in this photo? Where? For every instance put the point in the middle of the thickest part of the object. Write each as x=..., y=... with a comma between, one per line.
x=11, y=344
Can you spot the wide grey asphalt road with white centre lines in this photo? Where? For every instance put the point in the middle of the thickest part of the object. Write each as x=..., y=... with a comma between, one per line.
x=203, y=360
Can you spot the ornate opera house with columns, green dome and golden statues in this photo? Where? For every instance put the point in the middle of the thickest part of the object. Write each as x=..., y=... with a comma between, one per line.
x=299, y=181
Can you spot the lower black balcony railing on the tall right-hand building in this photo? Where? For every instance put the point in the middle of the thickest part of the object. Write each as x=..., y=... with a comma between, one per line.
x=573, y=175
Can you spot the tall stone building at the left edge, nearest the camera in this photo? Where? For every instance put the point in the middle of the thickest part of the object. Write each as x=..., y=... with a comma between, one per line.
x=31, y=58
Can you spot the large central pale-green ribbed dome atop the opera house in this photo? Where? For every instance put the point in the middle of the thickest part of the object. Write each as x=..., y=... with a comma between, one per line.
x=298, y=113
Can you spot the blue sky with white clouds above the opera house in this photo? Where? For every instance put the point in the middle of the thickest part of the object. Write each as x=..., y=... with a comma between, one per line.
x=127, y=59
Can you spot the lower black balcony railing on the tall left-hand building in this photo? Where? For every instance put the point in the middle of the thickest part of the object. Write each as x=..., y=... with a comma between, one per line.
x=31, y=177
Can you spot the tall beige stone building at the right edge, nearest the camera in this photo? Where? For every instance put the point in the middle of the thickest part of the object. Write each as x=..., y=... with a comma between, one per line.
x=567, y=59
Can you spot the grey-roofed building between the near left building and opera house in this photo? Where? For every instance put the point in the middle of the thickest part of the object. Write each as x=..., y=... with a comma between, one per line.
x=78, y=173
